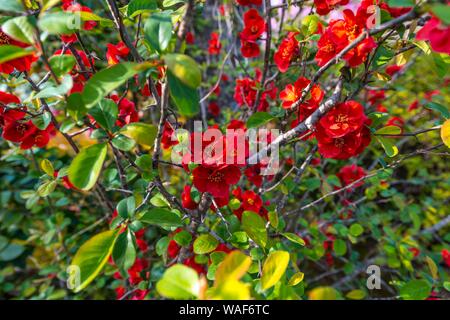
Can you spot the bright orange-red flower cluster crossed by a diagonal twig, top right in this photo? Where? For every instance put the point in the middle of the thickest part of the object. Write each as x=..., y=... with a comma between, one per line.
x=342, y=32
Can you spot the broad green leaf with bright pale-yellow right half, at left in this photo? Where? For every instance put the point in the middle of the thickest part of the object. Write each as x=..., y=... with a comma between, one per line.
x=86, y=166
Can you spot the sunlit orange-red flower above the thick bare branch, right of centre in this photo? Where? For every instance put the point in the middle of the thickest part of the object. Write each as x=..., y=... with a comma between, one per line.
x=292, y=93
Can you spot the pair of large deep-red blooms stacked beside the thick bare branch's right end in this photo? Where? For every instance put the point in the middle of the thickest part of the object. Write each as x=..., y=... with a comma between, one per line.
x=343, y=133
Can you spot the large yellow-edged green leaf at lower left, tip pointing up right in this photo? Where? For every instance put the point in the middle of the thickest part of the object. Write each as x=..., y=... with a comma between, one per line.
x=92, y=256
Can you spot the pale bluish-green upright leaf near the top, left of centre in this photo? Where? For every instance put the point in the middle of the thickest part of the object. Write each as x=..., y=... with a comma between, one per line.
x=158, y=31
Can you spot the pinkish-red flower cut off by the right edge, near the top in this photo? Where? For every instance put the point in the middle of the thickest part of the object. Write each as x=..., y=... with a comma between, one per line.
x=437, y=33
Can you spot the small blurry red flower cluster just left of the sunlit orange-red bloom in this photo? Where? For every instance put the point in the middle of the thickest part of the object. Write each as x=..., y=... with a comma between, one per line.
x=246, y=90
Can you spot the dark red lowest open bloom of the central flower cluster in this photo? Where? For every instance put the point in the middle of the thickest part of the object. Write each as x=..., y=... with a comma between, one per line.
x=216, y=180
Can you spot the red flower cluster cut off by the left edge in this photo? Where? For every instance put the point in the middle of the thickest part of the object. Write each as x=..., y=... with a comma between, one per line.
x=18, y=129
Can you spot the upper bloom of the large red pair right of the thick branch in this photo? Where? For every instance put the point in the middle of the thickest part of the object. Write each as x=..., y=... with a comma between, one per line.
x=342, y=119
